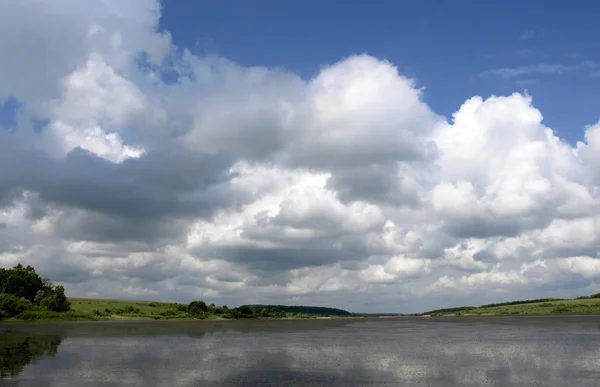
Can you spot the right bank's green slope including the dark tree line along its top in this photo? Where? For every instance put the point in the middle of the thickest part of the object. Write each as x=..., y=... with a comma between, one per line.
x=583, y=304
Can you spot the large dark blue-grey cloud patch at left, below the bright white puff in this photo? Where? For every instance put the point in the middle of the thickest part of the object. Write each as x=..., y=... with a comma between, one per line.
x=165, y=183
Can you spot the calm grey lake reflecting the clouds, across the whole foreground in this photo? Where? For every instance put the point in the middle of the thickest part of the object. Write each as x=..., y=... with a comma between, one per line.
x=491, y=351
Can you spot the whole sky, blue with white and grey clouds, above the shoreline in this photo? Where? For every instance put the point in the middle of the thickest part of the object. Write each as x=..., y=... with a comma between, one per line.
x=377, y=156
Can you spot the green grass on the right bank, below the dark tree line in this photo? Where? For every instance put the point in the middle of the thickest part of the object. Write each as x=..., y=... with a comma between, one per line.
x=590, y=305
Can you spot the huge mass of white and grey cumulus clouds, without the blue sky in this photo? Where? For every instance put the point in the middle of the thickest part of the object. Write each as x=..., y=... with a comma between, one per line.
x=240, y=184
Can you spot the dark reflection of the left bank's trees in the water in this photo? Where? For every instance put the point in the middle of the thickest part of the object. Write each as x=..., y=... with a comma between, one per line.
x=17, y=352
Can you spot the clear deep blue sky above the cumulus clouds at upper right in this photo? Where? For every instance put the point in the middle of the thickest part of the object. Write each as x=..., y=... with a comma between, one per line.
x=447, y=46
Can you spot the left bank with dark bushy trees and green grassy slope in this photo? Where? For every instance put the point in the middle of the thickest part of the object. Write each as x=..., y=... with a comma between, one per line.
x=24, y=295
